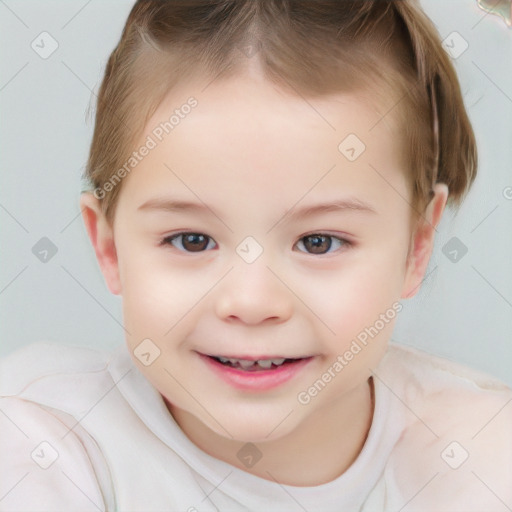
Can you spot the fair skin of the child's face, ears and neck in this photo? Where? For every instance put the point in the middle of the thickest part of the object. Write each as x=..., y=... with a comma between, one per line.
x=251, y=152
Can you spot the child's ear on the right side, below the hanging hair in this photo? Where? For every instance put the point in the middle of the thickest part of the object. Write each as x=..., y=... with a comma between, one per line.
x=422, y=242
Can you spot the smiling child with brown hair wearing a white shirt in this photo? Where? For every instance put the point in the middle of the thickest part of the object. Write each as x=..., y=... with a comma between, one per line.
x=266, y=178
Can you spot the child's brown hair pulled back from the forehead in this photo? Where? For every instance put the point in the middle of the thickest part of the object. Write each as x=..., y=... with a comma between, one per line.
x=312, y=47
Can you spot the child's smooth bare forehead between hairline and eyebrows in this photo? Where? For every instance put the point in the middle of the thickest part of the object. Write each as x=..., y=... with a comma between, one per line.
x=247, y=137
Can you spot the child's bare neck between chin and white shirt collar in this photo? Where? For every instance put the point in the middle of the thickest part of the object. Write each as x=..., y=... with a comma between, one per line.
x=330, y=442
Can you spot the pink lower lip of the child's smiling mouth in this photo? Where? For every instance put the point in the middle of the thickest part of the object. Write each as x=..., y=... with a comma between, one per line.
x=259, y=380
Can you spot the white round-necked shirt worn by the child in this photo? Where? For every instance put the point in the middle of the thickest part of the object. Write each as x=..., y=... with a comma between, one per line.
x=83, y=430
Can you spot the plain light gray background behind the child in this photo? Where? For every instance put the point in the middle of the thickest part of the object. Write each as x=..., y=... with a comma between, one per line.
x=464, y=309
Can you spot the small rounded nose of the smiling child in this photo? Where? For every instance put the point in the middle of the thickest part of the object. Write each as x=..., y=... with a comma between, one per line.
x=252, y=294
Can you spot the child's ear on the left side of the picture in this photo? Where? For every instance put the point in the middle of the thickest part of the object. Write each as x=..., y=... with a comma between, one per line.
x=102, y=238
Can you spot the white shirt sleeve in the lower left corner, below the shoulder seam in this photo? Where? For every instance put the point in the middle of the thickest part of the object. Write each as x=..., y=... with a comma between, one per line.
x=45, y=464
